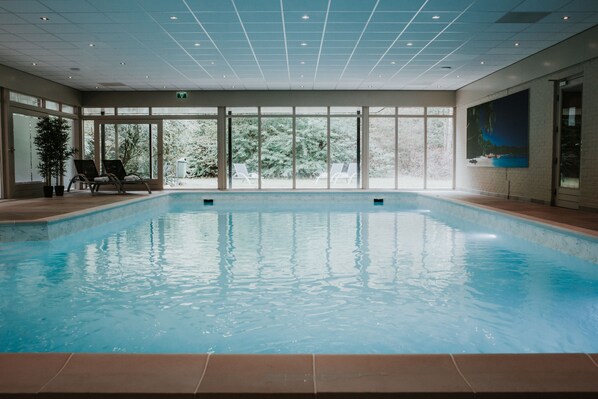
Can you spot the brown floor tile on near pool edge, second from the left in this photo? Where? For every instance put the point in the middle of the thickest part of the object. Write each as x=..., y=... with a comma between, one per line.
x=142, y=375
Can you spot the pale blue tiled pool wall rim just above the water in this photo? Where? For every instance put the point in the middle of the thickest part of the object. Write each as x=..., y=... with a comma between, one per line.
x=566, y=241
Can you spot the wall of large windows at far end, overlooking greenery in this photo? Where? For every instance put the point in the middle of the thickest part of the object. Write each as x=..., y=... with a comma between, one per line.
x=284, y=147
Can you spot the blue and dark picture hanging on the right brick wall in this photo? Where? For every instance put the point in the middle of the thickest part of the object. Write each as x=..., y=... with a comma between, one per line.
x=498, y=132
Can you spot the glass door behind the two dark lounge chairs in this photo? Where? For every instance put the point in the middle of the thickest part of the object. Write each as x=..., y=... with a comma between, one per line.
x=137, y=144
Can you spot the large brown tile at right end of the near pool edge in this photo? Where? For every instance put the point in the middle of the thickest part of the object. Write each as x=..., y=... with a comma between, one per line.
x=530, y=374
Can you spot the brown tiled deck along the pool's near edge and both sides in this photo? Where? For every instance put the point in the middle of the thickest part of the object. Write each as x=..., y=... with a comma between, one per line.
x=66, y=375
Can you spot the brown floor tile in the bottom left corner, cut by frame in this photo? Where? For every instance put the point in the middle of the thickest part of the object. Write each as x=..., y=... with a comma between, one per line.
x=27, y=373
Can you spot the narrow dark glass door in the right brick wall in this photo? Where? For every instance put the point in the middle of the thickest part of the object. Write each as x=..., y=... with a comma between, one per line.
x=568, y=160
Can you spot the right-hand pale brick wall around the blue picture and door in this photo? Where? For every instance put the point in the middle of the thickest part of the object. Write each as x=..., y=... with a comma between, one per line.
x=537, y=73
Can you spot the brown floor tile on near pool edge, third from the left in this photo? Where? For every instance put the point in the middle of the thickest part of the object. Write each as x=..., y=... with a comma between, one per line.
x=256, y=376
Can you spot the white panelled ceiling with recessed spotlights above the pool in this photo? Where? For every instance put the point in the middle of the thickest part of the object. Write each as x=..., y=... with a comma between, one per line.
x=280, y=44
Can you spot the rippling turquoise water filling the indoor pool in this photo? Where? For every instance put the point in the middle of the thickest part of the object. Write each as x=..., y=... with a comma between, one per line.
x=289, y=275
